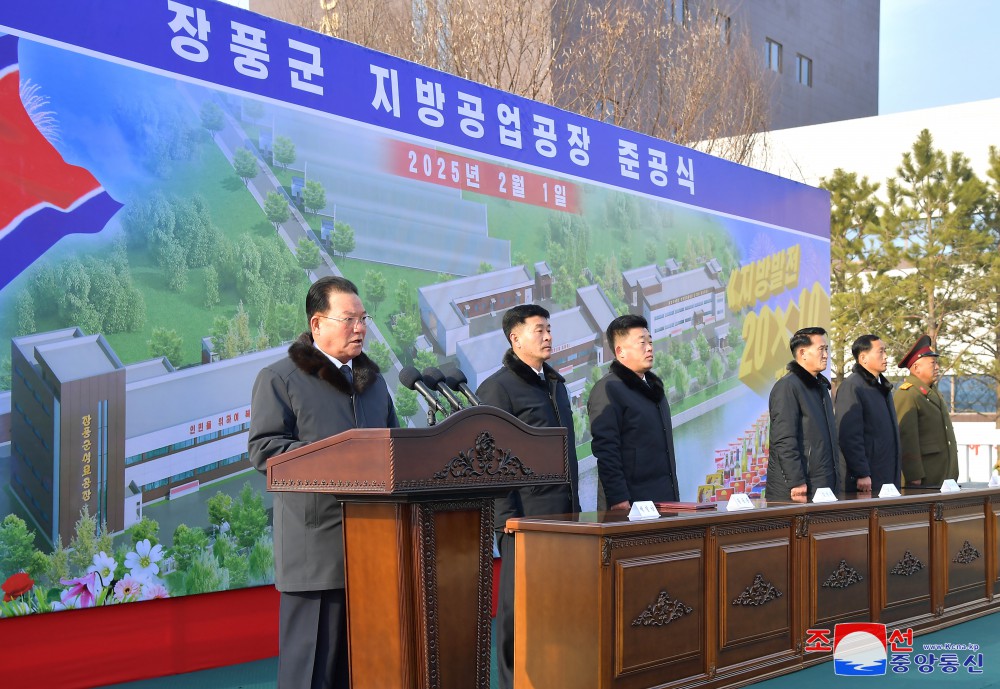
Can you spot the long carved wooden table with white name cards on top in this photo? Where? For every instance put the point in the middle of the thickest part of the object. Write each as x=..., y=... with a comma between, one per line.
x=719, y=599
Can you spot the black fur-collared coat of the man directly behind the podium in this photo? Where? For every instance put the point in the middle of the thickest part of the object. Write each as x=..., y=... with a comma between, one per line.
x=518, y=390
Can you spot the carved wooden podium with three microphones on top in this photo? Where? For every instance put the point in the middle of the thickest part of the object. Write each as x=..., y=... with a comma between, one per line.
x=418, y=526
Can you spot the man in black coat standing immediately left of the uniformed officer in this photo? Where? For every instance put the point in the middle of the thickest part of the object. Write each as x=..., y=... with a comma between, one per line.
x=866, y=421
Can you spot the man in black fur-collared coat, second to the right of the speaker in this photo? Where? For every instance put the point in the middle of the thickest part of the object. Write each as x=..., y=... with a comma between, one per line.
x=633, y=440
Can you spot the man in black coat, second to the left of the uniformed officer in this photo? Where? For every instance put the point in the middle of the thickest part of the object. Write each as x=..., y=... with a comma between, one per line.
x=803, y=448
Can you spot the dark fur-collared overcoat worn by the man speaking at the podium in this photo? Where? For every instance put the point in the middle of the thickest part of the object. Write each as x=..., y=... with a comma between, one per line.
x=297, y=401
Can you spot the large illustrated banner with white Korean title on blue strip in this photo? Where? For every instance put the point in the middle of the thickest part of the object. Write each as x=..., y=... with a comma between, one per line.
x=173, y=174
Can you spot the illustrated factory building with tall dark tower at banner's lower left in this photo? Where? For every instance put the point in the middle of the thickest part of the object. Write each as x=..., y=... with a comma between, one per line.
x=87, y=430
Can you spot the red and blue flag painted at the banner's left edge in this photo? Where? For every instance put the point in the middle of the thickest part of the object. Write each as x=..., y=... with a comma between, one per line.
x=42, y=197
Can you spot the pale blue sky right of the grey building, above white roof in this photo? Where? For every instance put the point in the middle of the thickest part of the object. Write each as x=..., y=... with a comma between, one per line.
x=938, y=52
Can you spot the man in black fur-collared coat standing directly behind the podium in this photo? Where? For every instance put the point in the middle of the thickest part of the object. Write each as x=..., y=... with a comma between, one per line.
x=528, y=388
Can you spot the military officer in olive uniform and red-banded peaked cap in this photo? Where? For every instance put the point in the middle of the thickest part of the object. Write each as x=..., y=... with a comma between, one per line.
x=927, y=438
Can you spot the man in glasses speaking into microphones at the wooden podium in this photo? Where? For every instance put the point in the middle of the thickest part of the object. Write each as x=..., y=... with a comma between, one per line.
x=324, y=387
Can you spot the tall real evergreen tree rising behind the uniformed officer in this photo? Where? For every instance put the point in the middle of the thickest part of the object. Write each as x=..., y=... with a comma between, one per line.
x=933, y=204
